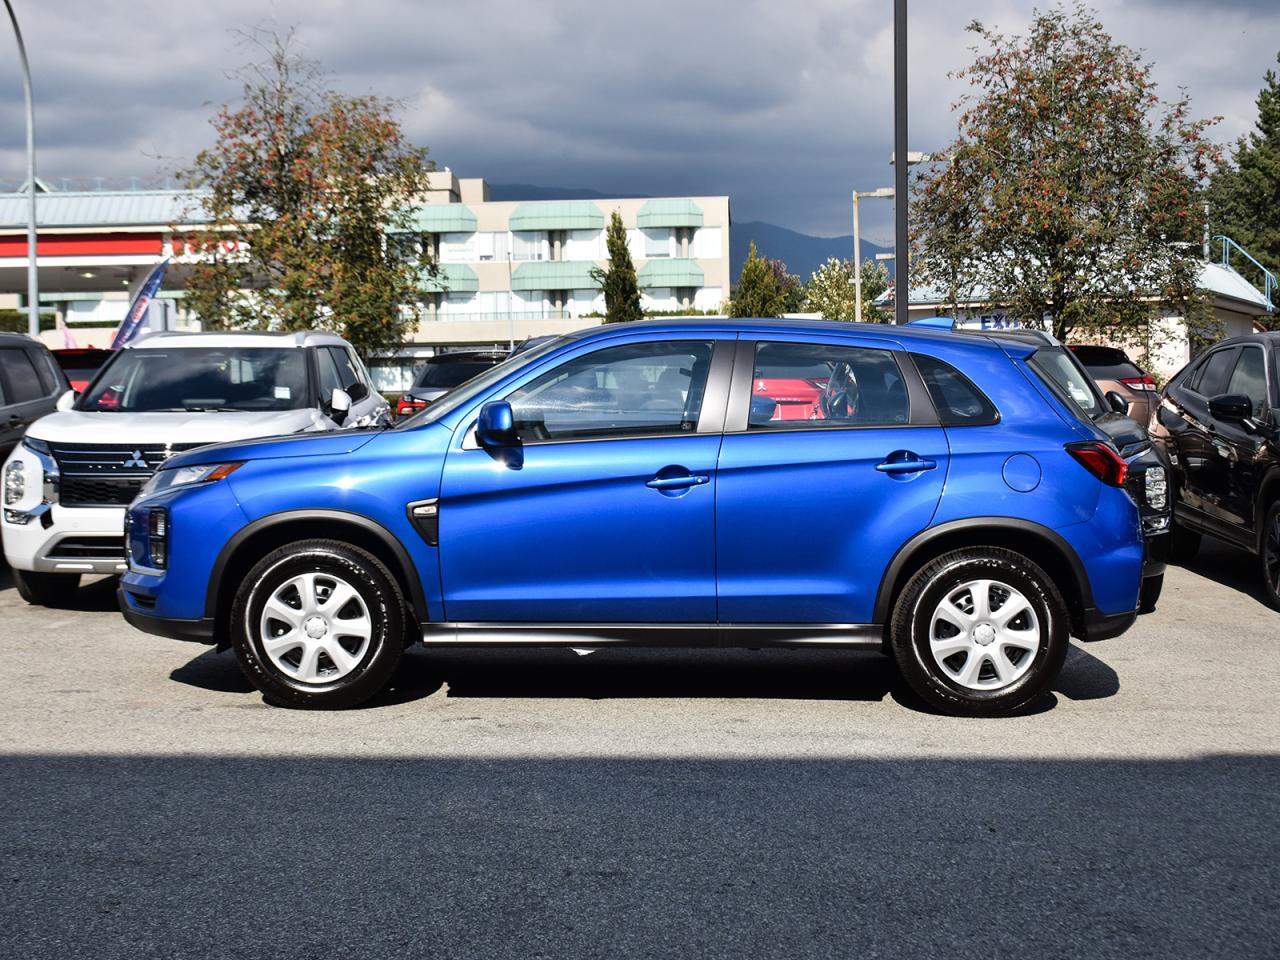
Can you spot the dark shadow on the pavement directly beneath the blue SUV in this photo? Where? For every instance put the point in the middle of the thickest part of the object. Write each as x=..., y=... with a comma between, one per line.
x=650, y=674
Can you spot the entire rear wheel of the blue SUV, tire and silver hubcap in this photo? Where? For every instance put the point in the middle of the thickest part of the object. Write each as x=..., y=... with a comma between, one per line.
x=980, y=633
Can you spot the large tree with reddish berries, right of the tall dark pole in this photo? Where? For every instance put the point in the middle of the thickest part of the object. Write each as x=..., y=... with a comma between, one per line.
x=1071, y=191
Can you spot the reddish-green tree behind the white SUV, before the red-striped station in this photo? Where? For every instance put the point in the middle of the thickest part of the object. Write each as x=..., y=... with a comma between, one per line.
x=310, y=184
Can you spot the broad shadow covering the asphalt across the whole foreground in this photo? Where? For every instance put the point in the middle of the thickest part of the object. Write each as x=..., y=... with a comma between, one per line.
x=505, y=857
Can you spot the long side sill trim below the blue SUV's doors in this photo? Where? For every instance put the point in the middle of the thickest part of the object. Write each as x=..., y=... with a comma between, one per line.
x=473, y=634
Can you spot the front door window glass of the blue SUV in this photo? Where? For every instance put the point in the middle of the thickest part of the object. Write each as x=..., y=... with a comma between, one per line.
x=636, y=390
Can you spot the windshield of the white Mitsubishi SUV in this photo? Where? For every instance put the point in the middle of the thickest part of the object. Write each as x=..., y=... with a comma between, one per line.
x=200, y=380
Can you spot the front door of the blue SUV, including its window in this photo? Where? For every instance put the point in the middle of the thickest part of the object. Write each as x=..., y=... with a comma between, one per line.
x=607, y=513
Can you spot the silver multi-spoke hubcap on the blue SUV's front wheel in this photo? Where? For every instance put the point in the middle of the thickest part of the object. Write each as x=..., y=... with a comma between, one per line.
x=316, y=628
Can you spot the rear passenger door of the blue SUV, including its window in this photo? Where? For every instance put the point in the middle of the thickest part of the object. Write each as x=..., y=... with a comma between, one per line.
x=810, y=513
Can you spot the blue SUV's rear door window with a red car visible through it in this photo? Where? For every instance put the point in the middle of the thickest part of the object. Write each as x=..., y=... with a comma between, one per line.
x=821, y=385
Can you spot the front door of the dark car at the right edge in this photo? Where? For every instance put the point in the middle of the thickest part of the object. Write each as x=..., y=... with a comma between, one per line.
x=1238, y=446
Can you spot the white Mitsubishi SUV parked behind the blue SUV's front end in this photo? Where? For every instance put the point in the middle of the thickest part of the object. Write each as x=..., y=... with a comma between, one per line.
x=67, y=486
